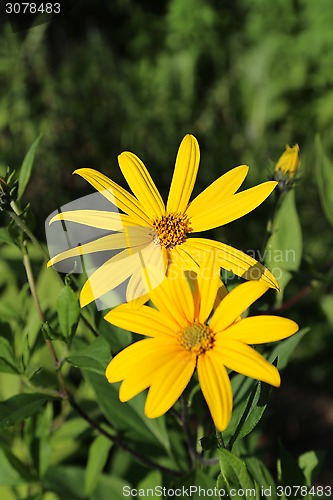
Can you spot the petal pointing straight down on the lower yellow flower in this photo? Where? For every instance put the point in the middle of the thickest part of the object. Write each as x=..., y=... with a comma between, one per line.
x=216, y=388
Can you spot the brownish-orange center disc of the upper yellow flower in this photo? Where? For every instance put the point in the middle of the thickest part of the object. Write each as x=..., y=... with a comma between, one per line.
x=171, y=229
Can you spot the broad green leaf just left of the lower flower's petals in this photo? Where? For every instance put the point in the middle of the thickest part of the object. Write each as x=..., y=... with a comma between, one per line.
x=94, y=357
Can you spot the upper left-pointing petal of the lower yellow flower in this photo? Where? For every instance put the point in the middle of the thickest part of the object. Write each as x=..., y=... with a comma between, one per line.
x=145, y=321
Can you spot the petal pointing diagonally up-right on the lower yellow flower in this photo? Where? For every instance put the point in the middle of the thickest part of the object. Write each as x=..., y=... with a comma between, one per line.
x=235, y=303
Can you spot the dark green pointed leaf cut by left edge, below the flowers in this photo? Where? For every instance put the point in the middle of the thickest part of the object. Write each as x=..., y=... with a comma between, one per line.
x=19, y=407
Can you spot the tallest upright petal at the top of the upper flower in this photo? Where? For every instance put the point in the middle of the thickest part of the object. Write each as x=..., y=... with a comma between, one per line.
x=185, y=174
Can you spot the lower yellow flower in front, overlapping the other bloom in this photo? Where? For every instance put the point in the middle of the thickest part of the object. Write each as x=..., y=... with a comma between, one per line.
x=200, y=331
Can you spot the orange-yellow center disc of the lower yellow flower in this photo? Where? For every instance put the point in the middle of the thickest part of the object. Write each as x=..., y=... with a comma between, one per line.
x=197, y=338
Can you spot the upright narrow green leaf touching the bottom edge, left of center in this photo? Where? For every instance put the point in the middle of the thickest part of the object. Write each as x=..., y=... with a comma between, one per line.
x=98, y=454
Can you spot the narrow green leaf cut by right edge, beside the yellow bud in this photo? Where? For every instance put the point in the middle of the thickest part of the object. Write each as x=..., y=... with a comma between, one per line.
x=324, y=171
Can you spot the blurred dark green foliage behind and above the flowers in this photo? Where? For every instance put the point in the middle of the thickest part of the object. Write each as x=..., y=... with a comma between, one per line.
x=245, y=77
